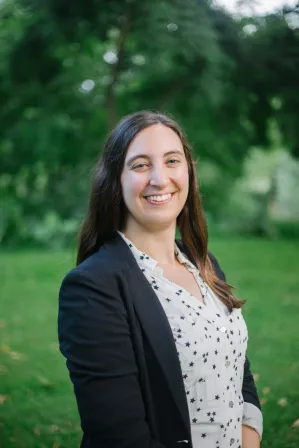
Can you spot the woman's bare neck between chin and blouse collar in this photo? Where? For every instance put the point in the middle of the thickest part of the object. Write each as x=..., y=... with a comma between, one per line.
x=158, y=244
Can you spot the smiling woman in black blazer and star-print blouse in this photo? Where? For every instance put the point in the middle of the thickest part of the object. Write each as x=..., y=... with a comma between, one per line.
x=154, y=339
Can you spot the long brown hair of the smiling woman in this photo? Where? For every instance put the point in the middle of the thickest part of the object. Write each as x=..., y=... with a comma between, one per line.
x=107, y=212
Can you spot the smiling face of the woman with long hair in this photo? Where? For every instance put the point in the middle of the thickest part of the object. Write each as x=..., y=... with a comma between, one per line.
x=155, y=178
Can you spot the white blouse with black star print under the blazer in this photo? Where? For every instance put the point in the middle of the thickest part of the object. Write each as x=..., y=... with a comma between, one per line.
x=211, y=344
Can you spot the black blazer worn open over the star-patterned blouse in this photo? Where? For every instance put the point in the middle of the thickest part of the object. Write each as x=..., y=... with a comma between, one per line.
x=122, y=357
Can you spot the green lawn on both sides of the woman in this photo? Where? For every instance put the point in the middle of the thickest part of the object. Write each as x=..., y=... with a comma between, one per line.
x=37, y=408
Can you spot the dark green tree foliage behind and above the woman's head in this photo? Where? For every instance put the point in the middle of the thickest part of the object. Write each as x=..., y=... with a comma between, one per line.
x=70, y=70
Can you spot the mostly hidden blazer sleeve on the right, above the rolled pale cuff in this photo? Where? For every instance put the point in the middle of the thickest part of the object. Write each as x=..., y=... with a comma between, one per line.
x=249, y=390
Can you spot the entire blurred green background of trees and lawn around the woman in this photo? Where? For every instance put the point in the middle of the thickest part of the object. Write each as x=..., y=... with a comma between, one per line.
x=228, y=72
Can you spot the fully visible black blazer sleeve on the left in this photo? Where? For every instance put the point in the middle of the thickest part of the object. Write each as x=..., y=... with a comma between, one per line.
x=95, y=339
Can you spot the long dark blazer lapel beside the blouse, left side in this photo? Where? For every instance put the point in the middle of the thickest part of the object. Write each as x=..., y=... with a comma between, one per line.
x=154, y=323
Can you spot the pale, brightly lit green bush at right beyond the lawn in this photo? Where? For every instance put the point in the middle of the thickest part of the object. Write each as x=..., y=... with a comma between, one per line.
x=265, y=200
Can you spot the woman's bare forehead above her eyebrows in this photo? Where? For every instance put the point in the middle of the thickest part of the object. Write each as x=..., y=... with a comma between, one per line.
x=154, y=141
